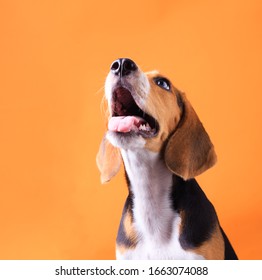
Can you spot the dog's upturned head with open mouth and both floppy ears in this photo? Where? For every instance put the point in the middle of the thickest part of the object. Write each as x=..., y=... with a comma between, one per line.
x=146, y=111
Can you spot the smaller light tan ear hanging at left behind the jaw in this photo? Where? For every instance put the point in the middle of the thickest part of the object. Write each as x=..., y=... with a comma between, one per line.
x=108, y=160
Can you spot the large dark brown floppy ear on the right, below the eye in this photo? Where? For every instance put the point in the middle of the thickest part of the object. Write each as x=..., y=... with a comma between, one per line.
x=189, y=151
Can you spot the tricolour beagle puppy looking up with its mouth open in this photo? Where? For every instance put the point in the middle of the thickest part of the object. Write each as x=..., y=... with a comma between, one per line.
x=153, y=128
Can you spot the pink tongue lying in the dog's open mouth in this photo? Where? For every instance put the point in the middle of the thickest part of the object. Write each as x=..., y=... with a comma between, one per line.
x=124, y=124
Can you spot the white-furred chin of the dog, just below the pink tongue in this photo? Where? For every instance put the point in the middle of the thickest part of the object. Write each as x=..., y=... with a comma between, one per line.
x=125, y=141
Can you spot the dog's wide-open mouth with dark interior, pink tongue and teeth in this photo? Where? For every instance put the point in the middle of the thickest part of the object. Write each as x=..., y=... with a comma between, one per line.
x=128, y=117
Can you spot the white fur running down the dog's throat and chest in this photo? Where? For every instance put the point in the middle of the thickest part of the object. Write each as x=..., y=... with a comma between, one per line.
x=156, y=223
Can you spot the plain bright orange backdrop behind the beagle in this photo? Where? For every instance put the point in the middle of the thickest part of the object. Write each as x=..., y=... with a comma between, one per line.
x=54, y=57
